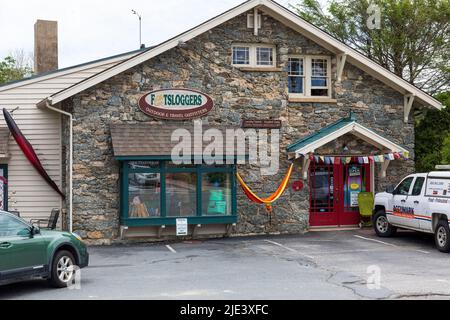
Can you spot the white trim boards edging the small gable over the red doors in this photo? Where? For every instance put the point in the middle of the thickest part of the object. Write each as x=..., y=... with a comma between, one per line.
x=353, y=128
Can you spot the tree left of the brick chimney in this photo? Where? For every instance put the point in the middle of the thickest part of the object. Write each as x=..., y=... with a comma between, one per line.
x=14, y=67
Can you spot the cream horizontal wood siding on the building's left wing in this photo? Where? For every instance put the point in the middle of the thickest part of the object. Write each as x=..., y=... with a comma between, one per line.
x=28, y=193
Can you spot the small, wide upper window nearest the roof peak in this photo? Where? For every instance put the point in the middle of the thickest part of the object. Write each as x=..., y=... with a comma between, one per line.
x=254, y=56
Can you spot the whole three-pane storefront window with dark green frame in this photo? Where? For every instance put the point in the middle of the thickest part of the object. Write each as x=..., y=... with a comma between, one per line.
x=158, y=192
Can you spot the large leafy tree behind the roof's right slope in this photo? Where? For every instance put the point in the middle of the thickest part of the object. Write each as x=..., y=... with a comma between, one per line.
x=412, y=39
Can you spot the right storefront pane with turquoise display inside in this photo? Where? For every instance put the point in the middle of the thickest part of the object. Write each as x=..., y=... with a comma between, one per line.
x=216, y=194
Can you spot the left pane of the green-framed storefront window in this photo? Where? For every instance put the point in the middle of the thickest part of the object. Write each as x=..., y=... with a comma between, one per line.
x=144, y=192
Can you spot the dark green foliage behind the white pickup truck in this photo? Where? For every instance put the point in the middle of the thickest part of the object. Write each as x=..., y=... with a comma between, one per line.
x=433, y=137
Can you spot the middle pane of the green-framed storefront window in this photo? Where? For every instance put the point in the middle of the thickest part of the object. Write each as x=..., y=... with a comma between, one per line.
x=181, y=194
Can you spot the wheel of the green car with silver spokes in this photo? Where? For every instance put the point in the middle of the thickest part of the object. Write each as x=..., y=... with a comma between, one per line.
x=63, y=269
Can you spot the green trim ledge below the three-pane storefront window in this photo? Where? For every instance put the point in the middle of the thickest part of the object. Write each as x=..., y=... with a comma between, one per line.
x=173, y=221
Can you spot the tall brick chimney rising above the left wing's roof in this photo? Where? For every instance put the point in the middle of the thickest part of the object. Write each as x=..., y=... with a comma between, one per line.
x=45, y=46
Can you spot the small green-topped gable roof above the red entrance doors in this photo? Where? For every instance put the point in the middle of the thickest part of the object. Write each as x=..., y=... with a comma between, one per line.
x=335, y=130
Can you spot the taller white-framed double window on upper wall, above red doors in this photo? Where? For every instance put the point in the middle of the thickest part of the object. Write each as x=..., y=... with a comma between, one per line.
x=309, y=76
